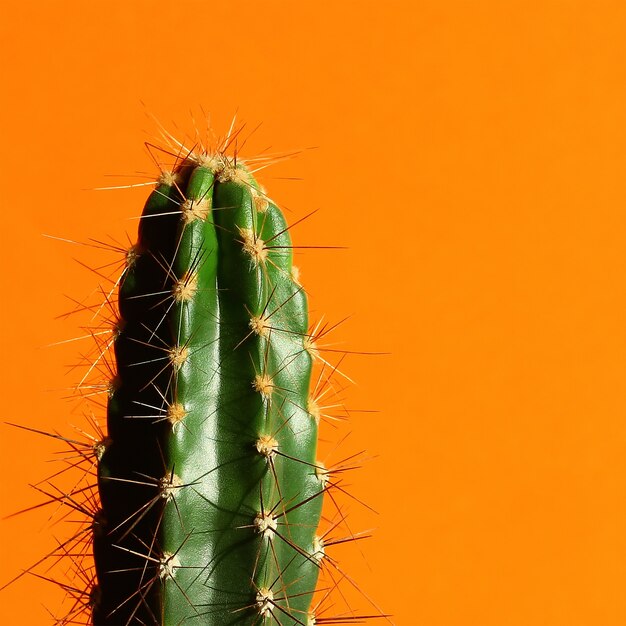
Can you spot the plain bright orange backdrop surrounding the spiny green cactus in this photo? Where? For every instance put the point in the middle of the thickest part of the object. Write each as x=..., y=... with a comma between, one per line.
x=471, y=157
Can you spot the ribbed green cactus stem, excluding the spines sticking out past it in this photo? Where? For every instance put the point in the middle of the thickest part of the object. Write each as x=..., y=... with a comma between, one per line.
x=210, y=490
